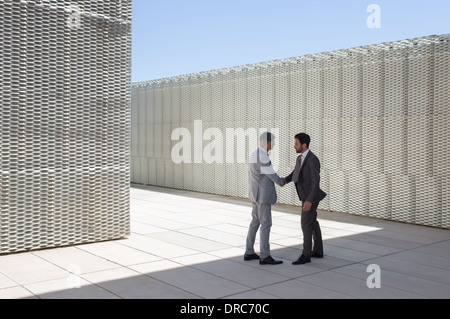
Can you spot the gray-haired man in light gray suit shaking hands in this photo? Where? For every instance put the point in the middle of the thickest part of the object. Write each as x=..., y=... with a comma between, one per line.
x=263, y=195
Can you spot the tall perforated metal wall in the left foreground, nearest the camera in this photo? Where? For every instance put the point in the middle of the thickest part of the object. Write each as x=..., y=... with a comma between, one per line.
x=65, y=122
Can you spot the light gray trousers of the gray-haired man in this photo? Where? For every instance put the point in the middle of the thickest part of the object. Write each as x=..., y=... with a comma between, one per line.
x=262, y=220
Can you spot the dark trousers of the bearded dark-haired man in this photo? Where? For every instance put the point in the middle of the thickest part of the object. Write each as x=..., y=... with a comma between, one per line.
x=311, y=231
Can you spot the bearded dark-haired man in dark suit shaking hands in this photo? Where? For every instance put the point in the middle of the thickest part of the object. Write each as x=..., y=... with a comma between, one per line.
x=306, y=177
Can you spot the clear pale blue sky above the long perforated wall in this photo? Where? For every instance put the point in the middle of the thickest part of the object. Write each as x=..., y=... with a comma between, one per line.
x=175, y=37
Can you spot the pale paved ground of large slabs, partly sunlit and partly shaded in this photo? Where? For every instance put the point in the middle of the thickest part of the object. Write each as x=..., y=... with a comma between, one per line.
x=187, y=245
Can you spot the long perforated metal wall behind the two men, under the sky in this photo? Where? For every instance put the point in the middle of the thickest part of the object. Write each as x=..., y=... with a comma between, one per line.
x=378, y=117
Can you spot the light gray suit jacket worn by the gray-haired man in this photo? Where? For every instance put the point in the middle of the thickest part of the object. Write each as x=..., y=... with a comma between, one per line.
x=262, y=178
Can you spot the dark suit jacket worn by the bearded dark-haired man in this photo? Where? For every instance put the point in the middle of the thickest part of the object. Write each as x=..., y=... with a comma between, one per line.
x=308, y=186
